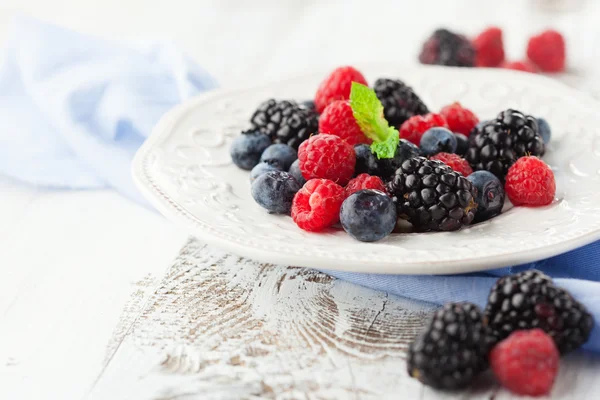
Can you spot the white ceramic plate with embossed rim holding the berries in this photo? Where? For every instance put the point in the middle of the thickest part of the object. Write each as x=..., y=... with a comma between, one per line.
x=184, y=169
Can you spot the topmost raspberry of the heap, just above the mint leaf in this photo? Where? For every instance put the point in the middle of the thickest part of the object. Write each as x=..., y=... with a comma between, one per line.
x=337, y=86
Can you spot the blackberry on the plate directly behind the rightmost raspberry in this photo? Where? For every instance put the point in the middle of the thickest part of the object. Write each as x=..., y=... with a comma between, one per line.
x=498, y=144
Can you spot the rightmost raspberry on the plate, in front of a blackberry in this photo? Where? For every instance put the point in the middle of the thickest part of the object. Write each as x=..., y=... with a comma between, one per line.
x=530, y=182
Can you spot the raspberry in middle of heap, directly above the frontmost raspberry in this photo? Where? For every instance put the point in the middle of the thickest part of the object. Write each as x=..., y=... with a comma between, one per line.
x=327, y=157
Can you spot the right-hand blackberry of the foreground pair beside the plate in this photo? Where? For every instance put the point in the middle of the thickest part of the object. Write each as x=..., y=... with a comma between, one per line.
x=530, y=300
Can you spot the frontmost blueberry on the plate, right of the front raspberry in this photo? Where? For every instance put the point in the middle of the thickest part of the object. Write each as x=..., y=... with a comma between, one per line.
x=368, y=215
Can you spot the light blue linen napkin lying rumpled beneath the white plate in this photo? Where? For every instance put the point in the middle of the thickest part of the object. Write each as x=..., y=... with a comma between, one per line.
x=74, y=109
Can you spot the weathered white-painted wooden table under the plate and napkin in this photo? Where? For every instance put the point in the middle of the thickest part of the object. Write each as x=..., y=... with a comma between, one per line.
x=97, y=301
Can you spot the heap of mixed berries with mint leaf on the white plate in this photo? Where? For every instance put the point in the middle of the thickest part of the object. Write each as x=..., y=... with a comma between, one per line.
x=337, y=160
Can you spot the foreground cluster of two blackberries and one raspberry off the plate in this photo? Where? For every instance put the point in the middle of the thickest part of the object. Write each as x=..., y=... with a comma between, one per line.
x=527, y=324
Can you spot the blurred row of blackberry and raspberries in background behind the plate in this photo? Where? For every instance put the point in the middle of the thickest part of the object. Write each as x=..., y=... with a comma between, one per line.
x=546, y=52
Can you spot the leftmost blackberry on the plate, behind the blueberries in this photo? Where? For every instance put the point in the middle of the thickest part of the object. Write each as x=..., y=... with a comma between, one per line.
x=285, y=122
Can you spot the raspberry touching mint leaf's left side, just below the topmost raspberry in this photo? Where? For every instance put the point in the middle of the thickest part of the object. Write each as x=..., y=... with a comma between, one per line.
x=337, y=119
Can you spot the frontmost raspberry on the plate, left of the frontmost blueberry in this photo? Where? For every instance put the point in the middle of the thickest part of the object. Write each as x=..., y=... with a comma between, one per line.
x=317, y=205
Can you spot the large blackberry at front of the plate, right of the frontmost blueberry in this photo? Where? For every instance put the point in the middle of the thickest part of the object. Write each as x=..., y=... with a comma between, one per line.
x=432, y=196
